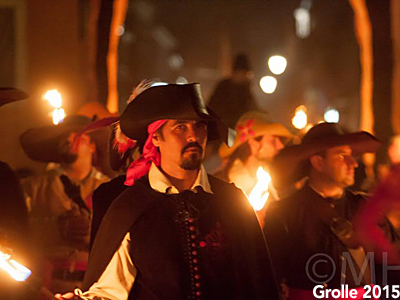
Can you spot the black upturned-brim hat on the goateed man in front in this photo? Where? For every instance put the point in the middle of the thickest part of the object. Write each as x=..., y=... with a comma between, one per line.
x=173, y=102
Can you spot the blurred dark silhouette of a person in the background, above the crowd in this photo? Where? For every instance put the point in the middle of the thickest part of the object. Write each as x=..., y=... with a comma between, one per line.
x=232, y=96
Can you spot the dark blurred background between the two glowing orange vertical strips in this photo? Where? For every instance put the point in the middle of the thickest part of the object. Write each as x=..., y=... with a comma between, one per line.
x=323, y=69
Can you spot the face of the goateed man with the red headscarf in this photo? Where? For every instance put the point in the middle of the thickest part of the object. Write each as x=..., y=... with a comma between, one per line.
x=182, y=143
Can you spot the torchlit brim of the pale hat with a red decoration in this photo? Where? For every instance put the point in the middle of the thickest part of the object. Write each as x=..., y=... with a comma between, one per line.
x=275, y=129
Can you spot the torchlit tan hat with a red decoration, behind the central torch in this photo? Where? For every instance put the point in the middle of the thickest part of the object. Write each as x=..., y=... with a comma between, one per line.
x=253, y=124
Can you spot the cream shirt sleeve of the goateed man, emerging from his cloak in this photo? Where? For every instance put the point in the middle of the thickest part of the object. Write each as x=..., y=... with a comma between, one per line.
x=117, y=279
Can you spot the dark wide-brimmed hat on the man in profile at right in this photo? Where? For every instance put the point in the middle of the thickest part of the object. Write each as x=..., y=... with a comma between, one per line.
x=290, y=164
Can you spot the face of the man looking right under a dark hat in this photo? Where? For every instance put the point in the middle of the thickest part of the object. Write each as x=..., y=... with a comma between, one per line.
x=338, y=166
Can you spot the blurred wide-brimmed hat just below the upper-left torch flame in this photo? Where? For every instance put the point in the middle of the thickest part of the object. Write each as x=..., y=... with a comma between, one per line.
x=42, y=143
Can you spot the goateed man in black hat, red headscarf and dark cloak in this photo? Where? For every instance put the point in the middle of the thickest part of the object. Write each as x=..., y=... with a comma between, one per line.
x=177, y=232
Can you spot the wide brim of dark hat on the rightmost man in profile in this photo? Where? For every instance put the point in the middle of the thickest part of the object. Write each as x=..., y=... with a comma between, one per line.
x=289, y=164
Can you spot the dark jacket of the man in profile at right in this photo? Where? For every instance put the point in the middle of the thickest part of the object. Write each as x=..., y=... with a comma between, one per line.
x=295, y=233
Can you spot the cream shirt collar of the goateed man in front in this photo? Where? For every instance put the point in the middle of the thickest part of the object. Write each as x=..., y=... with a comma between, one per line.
x=159, y=182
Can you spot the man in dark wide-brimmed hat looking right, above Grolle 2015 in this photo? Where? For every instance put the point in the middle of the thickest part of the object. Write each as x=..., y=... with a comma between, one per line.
x=310, y=233
